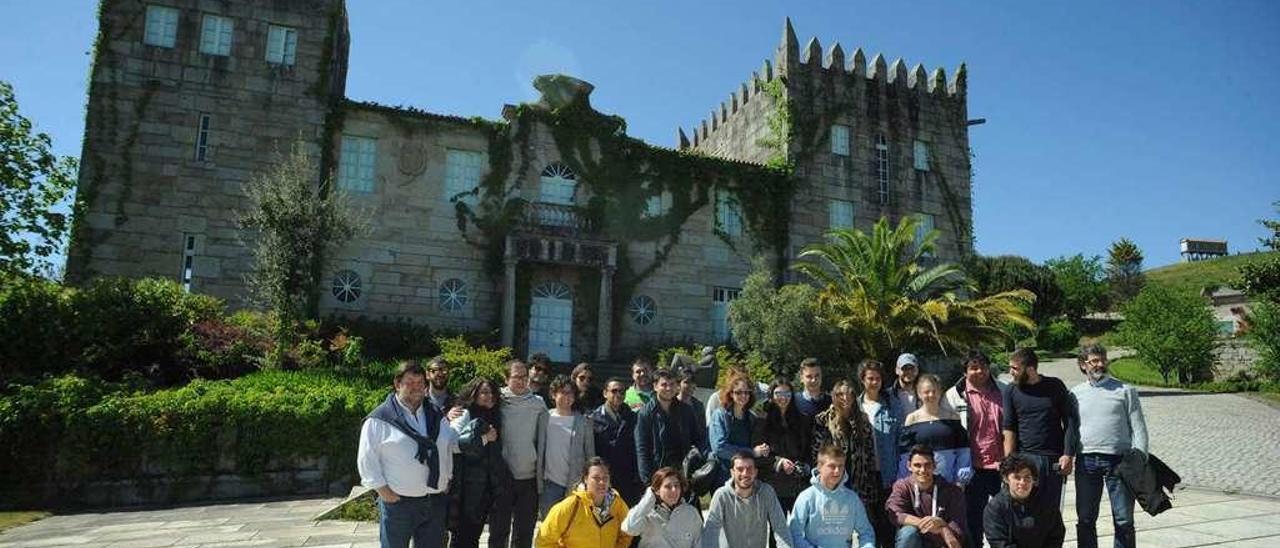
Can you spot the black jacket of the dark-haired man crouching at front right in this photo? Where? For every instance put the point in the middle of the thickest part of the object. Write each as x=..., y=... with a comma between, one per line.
x=1031, y=524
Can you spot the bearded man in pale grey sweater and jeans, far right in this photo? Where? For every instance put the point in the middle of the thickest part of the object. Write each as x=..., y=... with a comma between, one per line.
x=1112, y=424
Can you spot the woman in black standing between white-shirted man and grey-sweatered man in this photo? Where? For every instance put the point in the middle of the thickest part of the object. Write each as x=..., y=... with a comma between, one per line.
x=481, y=473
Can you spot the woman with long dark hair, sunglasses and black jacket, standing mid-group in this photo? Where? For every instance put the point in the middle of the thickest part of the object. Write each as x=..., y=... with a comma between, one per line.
x=787, y=432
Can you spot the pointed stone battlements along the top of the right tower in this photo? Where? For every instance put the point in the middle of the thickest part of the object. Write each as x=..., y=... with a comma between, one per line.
x=792, y=65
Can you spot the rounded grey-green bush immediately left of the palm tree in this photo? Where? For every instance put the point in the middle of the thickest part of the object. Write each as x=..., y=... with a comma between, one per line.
x=781, y=325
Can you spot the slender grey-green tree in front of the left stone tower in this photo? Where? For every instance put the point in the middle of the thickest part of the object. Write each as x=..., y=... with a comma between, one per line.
x=298, y=221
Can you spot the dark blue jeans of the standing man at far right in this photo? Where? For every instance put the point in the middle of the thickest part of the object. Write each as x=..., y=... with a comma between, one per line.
x=1092, y=472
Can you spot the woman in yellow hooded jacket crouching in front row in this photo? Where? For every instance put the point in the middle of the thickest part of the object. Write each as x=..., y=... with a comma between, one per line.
x=589, y=518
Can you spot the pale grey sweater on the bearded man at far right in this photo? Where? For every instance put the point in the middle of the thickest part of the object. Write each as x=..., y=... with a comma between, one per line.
x=1112, y=421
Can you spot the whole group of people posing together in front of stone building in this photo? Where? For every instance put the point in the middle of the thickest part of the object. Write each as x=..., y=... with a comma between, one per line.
x=890, y=462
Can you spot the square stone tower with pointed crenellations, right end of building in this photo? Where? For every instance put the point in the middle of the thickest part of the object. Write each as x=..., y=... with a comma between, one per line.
x=866, y=140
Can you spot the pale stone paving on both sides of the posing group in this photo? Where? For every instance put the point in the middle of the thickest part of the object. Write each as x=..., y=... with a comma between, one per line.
x=1222, y=445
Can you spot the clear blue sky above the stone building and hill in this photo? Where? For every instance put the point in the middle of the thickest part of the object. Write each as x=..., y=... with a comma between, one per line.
x=1151, y=121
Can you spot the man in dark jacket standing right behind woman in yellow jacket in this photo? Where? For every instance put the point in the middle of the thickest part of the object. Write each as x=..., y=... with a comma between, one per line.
x=615, y=426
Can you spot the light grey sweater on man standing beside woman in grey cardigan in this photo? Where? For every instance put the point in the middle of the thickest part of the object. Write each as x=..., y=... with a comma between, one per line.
x=524, y=424
